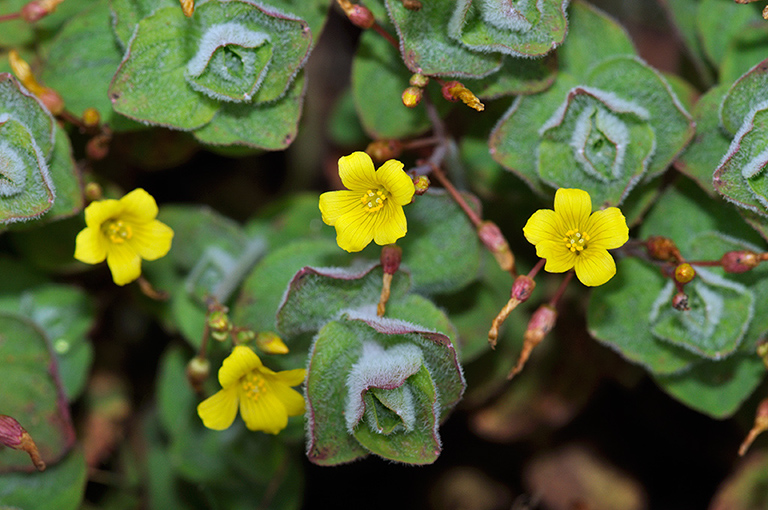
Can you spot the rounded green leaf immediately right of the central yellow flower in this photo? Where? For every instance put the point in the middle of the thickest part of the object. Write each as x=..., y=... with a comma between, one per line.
x=441, y=249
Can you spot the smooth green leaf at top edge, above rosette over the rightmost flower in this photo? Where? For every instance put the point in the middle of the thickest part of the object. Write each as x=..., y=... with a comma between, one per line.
x=593, y=36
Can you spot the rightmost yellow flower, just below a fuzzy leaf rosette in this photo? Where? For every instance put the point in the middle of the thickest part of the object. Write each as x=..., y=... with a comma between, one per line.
x=570, y=237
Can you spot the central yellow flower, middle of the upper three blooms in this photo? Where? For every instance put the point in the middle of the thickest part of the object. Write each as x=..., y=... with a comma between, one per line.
x=371, y=208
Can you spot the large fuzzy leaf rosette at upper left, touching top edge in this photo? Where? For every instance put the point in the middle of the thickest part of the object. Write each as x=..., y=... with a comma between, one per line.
x=231, y=73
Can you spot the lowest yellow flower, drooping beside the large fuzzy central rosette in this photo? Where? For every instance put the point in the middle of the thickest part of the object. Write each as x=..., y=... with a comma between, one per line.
x=265, y=397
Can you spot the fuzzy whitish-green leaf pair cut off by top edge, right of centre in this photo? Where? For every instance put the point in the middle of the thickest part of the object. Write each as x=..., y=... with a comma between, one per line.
x=523, y=29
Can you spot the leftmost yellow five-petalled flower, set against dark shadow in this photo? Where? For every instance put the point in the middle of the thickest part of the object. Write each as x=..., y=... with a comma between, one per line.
x=123, y=232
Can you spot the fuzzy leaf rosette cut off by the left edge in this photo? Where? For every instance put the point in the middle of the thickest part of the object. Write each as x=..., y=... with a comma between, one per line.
x=27, y=133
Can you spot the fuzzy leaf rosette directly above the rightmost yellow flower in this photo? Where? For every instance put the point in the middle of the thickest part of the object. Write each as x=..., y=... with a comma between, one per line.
x=618, y=126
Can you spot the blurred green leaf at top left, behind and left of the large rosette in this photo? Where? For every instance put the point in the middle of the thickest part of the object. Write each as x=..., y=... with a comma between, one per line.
x=81, y=61
